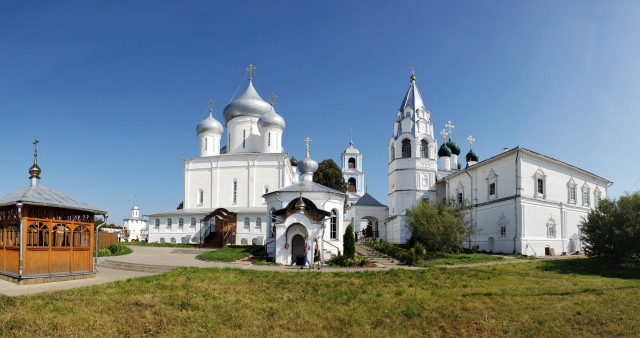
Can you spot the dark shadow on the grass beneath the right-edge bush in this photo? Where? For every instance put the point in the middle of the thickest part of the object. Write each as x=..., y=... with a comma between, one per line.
x=592, y=266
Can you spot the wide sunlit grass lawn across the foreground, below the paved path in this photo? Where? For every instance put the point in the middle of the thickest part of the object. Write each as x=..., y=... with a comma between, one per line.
x=538, y=298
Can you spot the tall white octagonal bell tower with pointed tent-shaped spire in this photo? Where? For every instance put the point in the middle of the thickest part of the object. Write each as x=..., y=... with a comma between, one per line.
x=412, y=161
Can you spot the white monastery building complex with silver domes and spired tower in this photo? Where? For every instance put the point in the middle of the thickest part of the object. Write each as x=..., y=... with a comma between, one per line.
x=248, y=191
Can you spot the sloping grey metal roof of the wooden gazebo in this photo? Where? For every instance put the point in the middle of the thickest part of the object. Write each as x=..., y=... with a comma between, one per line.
x=39, y=195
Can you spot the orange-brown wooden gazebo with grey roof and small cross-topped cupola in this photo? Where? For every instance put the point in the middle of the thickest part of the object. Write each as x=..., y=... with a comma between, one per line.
x=45, y=236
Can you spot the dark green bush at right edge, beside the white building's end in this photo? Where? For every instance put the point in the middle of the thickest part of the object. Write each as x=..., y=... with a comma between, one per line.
x=612, y=230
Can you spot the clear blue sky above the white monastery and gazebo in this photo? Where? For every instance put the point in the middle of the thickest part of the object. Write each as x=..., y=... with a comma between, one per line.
x=114, y=90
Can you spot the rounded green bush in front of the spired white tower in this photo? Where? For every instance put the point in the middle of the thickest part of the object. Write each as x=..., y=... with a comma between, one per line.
x=439, y=227
